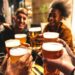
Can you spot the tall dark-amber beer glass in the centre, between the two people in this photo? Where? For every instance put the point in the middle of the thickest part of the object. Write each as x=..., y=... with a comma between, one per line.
x=34, y=37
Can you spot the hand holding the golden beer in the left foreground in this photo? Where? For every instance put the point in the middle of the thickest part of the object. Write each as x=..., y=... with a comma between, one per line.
x=21, y=67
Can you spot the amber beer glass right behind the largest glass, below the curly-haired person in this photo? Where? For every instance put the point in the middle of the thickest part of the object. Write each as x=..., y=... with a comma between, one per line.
x=50, y=36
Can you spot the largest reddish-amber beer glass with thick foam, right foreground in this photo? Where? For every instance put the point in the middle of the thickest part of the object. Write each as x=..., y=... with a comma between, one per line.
x=51, y=50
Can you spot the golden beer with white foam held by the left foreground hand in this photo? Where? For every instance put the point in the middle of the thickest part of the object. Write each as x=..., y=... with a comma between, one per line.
x=17, y=53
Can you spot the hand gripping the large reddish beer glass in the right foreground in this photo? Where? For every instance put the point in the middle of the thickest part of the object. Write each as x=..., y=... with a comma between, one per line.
x=63, y=66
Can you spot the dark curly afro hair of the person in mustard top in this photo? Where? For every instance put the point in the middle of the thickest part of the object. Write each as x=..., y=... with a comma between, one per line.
x=62, y=8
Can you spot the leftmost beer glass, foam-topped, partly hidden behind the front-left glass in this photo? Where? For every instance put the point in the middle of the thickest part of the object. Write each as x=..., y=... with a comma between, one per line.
x=11, y=43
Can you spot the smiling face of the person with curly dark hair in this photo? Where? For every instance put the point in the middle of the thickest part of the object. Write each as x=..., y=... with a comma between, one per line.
x=54, y=17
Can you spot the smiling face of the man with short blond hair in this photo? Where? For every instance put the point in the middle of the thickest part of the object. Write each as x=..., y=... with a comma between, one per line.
x=21, y=21
